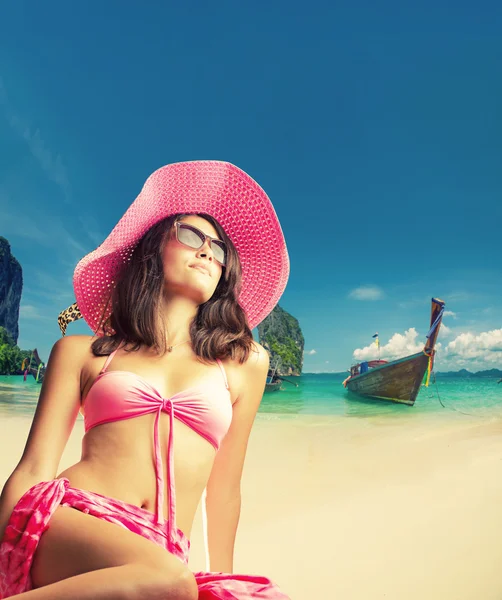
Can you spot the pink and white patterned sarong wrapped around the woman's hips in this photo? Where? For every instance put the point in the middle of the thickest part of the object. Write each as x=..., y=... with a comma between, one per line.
x=31, y=517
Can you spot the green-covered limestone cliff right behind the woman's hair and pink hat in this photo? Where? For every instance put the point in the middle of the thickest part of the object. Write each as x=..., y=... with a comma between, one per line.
x=281, y=335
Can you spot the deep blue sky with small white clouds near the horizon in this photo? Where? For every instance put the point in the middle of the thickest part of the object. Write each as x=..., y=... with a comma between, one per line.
x=375, y=128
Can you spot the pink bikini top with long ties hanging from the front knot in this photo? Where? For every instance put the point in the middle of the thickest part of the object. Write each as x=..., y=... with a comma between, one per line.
x=118, y=395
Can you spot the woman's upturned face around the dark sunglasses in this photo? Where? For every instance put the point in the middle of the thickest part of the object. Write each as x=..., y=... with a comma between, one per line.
x=190, y=272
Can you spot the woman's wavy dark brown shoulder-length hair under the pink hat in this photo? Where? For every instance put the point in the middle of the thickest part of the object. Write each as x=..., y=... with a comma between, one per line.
x=219, y=329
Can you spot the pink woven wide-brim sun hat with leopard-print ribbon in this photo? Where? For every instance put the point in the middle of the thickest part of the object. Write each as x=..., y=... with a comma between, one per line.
x=217, y=188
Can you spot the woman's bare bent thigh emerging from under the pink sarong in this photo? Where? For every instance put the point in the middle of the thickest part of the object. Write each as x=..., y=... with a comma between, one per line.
x=77, y=543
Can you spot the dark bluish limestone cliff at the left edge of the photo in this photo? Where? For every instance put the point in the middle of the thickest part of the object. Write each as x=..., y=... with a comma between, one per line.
x=11, y=286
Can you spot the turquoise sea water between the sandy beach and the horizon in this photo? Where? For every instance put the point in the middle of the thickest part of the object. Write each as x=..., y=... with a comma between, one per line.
x=320, y=394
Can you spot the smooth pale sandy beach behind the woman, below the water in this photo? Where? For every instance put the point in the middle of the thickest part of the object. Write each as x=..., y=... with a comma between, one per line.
x=389, y=508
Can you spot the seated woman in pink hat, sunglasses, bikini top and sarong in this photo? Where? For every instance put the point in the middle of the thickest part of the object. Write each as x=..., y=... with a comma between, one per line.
x=196, y=261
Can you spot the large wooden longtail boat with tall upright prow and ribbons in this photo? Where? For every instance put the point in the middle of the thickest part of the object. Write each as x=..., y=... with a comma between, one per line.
x=398, y=380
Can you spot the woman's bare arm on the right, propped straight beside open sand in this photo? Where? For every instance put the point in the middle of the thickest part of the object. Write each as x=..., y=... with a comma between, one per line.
x=223, y=501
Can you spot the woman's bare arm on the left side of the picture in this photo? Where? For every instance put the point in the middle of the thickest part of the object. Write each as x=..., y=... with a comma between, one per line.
x=54, y=418
